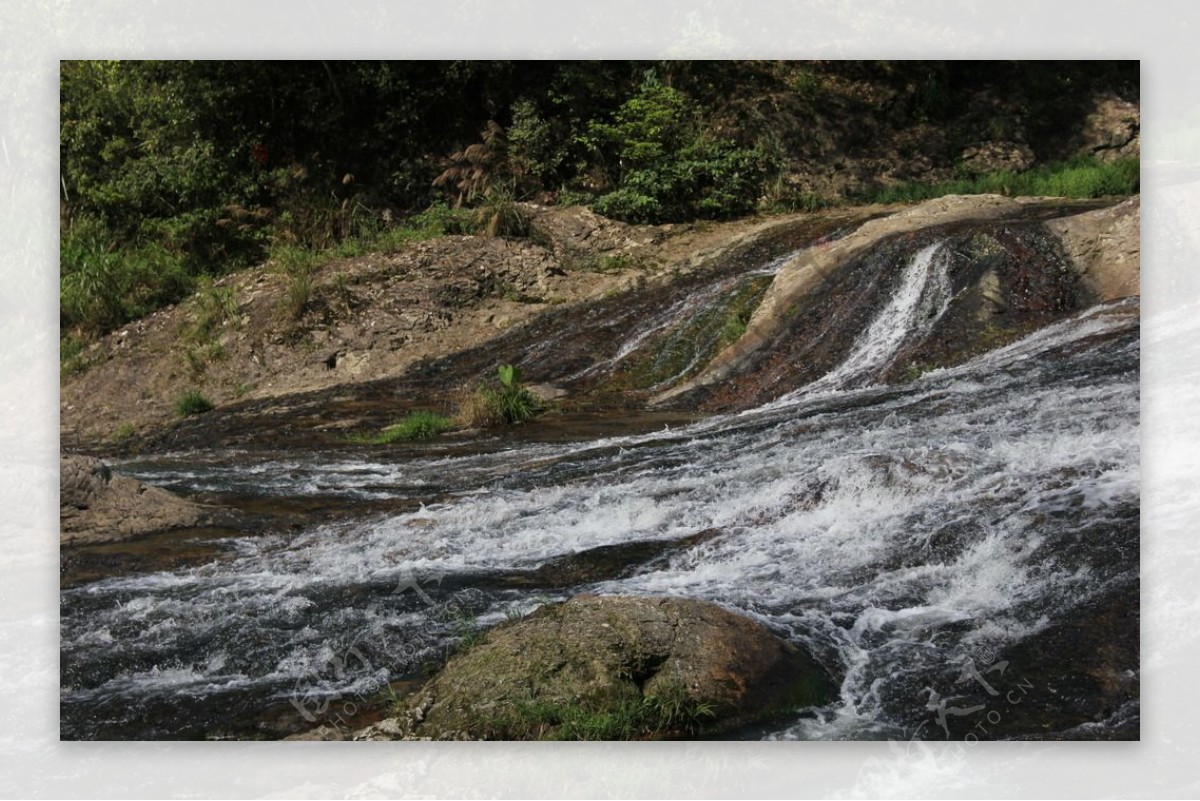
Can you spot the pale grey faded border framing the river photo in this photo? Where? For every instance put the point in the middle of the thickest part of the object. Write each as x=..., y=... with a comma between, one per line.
x=35, y=35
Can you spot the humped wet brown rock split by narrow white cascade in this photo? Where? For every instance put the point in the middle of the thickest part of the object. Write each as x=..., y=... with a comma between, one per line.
x=1019, y=264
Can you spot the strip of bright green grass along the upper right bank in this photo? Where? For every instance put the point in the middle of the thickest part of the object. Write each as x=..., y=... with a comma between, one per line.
x=1079, y=178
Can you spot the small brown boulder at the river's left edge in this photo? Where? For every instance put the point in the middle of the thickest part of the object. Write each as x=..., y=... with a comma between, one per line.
x=99, y=505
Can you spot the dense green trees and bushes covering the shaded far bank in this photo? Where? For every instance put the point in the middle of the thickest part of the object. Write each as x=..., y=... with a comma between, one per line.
x=175, y=171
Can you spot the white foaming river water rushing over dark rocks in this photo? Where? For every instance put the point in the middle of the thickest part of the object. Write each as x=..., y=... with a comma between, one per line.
x=893, y=531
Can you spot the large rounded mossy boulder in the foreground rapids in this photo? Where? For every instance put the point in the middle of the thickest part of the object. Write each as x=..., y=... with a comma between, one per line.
x=611, y=668
